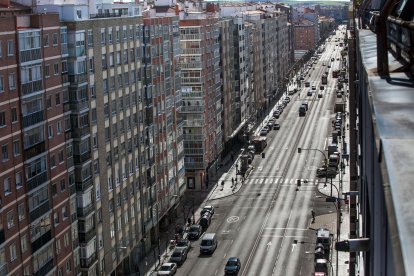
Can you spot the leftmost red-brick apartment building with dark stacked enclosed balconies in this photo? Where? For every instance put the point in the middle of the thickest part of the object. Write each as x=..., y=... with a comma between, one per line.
x=35, y=224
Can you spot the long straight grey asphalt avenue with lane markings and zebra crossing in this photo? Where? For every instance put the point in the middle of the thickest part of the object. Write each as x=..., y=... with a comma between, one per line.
x=266, y=224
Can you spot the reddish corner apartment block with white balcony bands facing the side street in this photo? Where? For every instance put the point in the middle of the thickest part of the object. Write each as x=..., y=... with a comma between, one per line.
x=201, y=94
